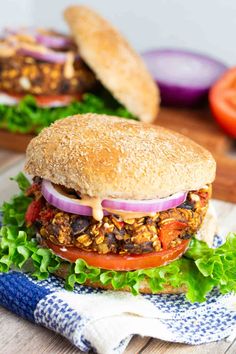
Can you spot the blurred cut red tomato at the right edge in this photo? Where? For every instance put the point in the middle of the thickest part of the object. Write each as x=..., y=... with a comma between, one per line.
x=222, y=98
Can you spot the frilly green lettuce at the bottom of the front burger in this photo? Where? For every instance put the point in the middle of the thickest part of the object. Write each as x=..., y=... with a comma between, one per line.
x=200, y=269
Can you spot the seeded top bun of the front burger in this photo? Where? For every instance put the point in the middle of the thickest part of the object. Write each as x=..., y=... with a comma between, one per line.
x=104, y=156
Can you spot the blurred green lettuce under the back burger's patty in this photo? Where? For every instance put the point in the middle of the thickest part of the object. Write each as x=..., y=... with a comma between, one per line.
x=27, y=117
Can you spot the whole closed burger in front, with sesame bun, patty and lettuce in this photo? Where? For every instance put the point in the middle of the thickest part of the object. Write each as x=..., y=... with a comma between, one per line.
x=117, y=204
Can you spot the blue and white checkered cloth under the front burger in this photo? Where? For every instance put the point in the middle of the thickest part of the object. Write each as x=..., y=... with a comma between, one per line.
x=107, y=320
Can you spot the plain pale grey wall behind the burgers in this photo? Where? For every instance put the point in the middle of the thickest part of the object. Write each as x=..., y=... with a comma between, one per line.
x=147, y=24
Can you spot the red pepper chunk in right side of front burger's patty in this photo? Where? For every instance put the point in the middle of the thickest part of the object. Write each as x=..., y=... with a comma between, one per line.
x=170, y=231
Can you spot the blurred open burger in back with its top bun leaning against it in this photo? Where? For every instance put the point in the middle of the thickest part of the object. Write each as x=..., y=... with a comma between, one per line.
x=46, y=75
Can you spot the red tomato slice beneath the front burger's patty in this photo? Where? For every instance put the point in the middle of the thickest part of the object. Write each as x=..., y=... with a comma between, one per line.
x=120, y=262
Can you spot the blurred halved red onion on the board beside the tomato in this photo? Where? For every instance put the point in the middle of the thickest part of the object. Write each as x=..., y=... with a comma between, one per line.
x=184, y=77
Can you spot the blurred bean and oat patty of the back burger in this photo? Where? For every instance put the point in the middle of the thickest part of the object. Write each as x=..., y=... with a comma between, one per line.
x=26, y=75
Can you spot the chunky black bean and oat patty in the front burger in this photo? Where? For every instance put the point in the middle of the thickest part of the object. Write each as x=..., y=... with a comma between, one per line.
x=114, y=234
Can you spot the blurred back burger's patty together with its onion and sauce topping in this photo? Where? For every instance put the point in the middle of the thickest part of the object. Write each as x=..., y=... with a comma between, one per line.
x=29, y=67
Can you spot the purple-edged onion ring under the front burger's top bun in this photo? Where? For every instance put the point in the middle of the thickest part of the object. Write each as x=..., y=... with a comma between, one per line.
x=73, y=206
